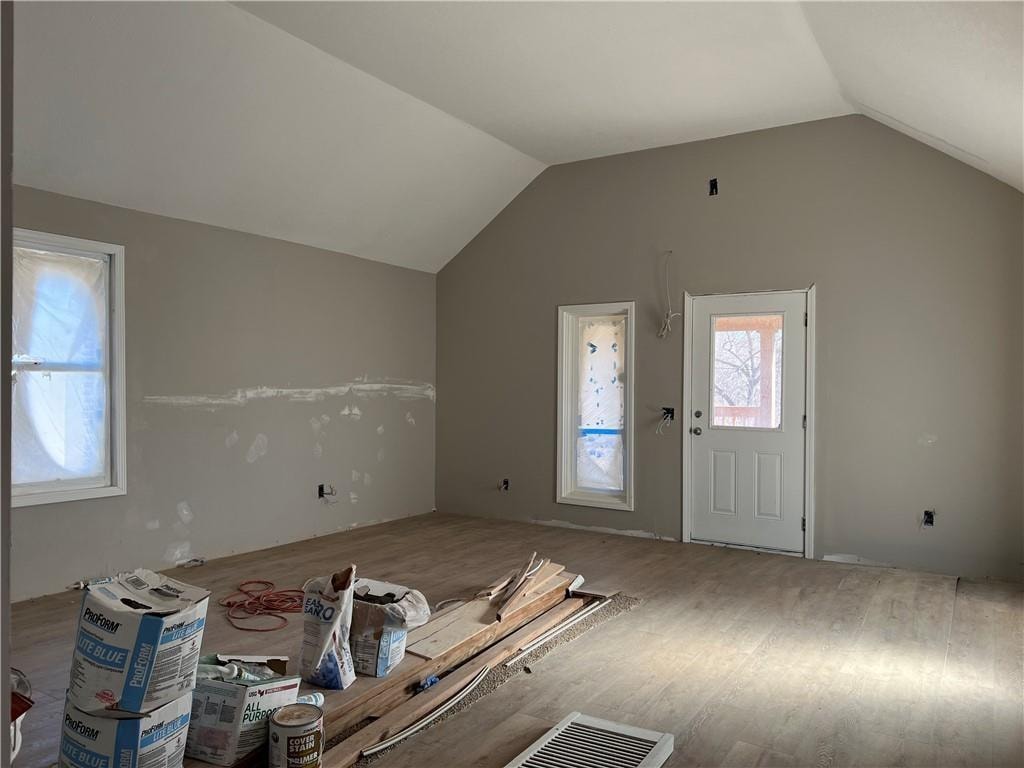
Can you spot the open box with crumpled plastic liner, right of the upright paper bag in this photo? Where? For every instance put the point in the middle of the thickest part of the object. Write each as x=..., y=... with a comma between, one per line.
x=382, y=616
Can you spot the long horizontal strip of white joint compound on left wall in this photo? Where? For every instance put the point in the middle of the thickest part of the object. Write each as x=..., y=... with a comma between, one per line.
x=403, y=390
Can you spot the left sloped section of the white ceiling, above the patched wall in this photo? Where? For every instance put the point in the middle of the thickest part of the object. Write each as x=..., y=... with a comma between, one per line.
x=206, y=113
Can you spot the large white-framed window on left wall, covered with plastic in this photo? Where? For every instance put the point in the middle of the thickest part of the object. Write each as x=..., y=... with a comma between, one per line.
x=68, y=440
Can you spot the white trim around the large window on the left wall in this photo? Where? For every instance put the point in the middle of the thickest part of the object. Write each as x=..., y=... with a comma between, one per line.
x=70, y=491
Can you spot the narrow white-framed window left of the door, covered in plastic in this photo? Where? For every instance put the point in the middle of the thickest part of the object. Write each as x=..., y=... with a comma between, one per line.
x=595, y=408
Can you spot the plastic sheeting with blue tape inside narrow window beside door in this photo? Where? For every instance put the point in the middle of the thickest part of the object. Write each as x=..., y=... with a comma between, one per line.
x=601, y=451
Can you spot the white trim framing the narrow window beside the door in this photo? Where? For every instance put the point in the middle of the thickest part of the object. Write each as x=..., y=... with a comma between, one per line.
x=569, y=394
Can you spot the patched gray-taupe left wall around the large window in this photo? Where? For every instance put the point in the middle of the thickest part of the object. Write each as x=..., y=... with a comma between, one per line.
x=211, y=311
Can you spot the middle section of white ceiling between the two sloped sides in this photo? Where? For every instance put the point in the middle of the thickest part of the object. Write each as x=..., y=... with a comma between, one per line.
x=571, y=81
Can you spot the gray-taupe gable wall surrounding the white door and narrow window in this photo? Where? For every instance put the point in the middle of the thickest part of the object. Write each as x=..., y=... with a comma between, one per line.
x=918, y=260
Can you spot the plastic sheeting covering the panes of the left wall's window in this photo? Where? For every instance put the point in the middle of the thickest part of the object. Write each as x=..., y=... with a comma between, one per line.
x=61, y=415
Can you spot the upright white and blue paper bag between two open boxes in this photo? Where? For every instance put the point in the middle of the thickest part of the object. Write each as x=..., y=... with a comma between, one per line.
x=327, y=612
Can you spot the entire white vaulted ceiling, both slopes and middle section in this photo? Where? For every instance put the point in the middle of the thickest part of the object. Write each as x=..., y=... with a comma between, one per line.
x=397, y=132
